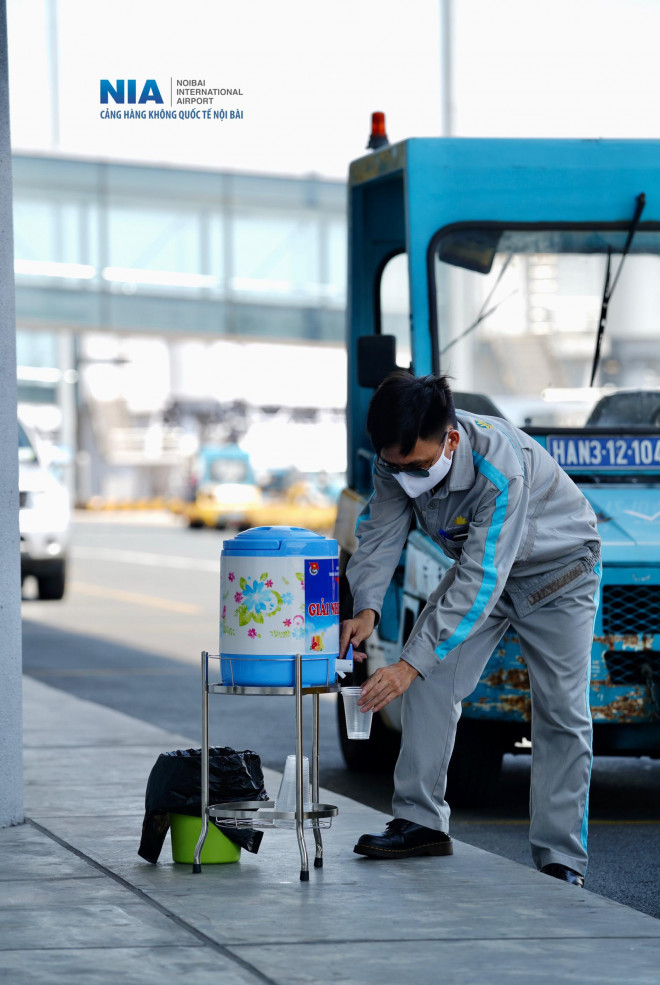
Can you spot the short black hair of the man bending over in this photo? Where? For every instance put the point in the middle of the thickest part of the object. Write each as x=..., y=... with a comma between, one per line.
x=405, y=408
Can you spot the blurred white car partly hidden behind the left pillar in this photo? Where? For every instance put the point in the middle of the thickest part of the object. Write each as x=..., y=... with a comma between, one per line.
x=45, y=519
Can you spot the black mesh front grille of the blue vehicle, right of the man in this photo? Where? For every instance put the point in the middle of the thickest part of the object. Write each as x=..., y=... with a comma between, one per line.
x=633, y=611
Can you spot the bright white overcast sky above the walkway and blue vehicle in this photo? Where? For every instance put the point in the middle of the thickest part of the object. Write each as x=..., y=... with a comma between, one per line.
x=310, y=74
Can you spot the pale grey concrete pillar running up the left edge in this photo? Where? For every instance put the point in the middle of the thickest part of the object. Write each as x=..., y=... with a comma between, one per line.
x=11, y=718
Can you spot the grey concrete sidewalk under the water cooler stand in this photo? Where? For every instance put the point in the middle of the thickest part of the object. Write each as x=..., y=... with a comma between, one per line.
x=77, y=902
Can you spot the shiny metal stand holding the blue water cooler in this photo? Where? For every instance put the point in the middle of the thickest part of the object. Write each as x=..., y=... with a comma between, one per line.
x=261, y=814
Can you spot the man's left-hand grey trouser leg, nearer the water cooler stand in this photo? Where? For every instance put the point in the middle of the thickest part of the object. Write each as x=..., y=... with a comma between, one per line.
x=430, y=712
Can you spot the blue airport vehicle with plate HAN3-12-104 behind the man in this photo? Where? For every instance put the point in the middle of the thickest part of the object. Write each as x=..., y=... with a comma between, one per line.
x=529, y=271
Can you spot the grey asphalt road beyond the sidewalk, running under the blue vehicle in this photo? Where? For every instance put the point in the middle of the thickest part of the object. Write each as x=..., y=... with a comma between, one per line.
x=142, y=602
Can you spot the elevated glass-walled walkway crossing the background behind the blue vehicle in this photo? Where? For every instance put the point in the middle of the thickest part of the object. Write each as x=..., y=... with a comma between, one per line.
x=179, y=252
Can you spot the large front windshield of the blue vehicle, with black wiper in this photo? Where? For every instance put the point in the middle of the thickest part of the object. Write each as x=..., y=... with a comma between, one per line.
x=516, y=316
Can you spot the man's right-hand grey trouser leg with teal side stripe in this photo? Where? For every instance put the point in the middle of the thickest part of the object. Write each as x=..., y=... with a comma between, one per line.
x=556, y=643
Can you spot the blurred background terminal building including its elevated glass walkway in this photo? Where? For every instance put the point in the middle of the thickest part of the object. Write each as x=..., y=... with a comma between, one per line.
x=151, y=301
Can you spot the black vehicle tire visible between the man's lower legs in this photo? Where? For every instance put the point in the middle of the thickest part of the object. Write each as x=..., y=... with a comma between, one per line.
x=475, y=765
